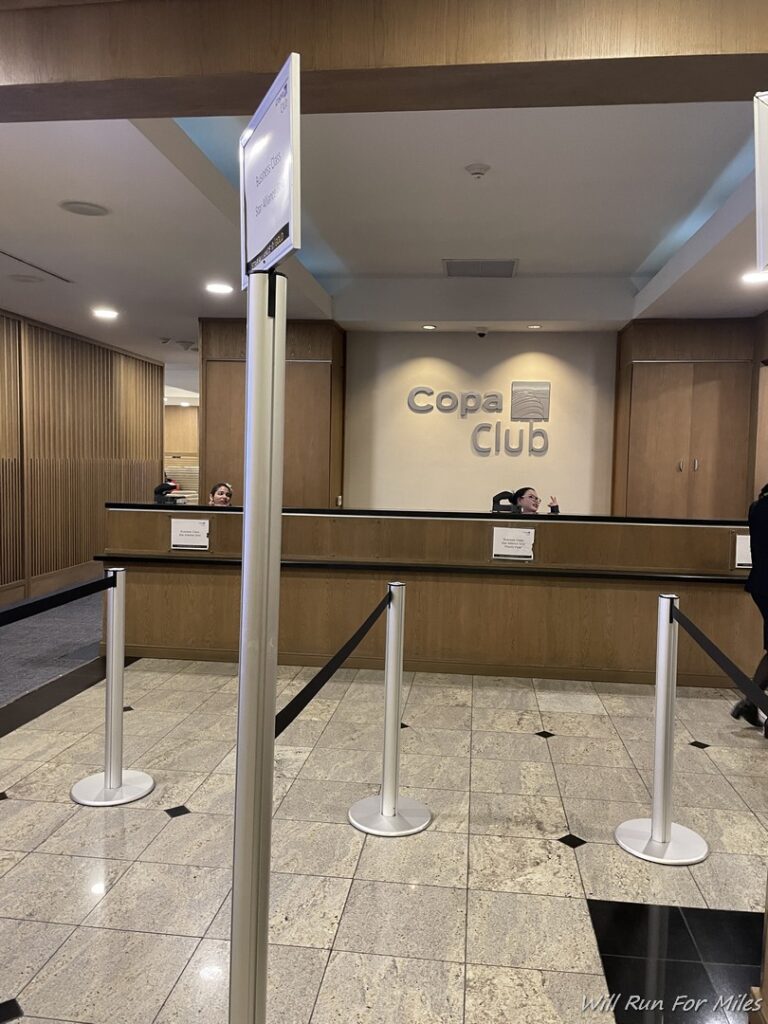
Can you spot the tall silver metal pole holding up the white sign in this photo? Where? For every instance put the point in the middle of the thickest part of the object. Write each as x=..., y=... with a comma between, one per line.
x=263, y=503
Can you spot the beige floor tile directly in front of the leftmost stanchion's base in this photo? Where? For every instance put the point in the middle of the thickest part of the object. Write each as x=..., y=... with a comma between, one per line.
x=117, y=833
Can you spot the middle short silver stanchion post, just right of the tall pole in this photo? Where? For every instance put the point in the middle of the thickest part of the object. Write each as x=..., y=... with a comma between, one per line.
x=391, y=815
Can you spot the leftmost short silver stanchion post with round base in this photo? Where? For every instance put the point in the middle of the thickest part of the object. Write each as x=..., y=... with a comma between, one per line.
x=114, y=786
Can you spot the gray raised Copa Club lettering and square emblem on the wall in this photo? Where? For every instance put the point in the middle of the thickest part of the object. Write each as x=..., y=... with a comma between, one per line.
x=529, y=403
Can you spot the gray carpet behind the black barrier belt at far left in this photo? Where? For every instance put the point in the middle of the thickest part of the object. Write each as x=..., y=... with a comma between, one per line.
x=39, y=650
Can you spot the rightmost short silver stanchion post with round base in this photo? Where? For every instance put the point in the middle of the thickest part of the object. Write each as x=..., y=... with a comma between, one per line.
x=659, y=839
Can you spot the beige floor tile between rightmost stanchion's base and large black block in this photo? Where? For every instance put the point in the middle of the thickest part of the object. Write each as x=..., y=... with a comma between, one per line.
x=612, y=874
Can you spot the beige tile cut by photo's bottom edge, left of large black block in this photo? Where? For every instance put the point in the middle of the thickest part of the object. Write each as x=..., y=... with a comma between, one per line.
x=506, y=996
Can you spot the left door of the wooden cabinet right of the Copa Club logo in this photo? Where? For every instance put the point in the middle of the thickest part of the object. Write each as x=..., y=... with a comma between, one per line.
x=660, y=436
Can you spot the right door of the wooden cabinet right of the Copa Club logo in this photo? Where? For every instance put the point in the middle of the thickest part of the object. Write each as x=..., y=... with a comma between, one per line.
x=720, y=441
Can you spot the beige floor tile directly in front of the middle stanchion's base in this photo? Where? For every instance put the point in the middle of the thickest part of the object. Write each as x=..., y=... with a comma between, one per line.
x=430, y=859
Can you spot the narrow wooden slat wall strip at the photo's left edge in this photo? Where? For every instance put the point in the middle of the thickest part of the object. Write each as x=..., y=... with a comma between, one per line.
x=12, y=540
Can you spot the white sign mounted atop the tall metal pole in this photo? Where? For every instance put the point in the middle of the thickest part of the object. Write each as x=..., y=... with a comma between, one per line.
x=270, y=177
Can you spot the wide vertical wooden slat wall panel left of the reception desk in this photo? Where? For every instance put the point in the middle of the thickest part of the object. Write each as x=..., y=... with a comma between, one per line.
x=92, y=433
